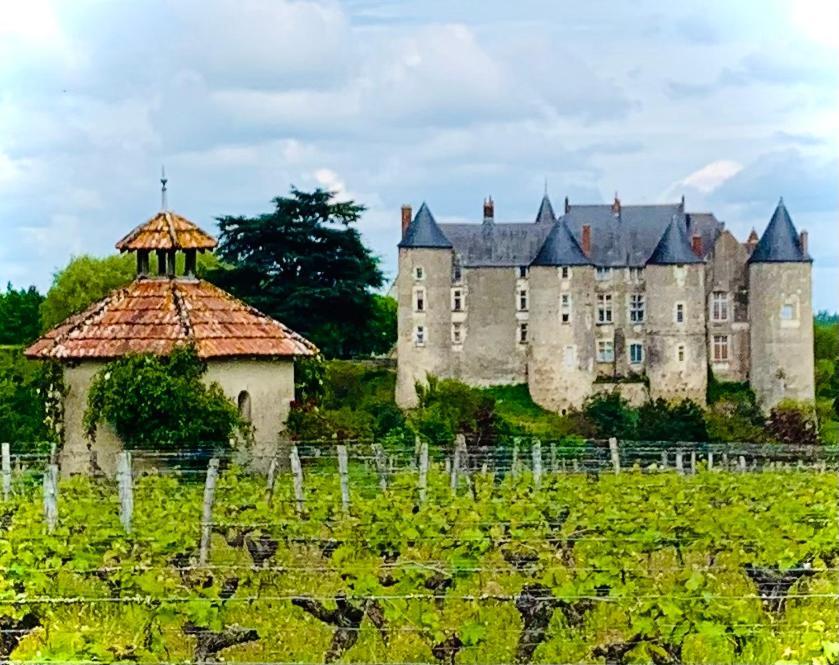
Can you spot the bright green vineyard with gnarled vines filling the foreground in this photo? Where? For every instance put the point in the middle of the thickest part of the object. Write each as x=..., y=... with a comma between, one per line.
x=708, y=567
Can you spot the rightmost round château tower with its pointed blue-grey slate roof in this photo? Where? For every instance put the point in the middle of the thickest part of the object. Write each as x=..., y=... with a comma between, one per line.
x=781, y=314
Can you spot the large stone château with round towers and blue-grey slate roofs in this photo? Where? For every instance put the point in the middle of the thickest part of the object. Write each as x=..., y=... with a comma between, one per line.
x=643, y=298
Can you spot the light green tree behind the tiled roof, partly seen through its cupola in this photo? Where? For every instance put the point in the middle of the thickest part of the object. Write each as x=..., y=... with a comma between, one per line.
x=87, y=279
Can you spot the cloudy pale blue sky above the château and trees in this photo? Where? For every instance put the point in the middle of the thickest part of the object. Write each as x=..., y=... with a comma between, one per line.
x=731, y=104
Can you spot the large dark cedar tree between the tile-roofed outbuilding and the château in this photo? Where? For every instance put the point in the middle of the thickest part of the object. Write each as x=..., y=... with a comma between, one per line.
x=304, y=263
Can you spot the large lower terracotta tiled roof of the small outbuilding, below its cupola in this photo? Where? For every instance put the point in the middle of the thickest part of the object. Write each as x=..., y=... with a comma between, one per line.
x=153, y=315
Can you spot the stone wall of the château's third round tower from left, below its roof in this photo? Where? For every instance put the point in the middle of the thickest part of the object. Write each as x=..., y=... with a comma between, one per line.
x=676, y=352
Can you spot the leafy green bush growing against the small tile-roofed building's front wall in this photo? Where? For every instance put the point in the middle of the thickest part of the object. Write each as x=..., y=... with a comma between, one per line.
x=161, y=403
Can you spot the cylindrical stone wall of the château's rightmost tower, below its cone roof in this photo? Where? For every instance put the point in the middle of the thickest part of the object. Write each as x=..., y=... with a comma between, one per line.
x=781, y=348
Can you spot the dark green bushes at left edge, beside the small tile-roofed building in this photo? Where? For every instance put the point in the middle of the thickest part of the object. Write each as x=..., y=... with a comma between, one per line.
x=22, y=402
